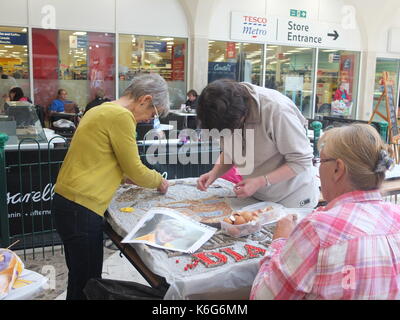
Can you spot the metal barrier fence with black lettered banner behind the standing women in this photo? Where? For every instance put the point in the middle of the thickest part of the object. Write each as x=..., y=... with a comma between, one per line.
x=27, y=181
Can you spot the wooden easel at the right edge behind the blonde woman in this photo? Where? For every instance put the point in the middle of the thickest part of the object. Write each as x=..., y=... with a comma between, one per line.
x=391, y=114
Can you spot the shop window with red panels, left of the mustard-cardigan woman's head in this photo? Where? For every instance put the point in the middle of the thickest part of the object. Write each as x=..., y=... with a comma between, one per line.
x=79, y=62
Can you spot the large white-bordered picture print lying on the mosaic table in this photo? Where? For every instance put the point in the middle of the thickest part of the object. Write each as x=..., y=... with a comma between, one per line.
x=169, y=229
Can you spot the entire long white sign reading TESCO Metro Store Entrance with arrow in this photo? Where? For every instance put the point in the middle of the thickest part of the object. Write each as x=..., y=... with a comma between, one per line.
x=293, y=32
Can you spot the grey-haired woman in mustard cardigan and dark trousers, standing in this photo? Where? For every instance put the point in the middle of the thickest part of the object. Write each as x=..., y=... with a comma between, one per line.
x=102, y=150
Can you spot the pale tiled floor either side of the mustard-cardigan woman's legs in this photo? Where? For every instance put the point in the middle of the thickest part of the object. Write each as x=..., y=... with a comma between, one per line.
x=114, y=267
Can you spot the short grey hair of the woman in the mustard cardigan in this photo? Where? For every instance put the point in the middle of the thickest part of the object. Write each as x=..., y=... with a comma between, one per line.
x=150, y=84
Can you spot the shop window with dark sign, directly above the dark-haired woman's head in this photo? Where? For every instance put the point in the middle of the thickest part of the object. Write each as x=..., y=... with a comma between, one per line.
x=235, y=60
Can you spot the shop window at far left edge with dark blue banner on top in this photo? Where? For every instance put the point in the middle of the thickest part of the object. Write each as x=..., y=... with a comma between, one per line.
x=14, y=62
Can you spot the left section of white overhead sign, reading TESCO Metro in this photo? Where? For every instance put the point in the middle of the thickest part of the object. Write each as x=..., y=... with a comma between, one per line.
x=250, y=27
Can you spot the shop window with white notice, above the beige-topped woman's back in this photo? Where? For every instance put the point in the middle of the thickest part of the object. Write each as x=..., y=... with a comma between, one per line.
x=290, y=70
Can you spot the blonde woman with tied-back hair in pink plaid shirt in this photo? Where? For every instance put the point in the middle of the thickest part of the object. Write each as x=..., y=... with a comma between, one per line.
x=349, y=249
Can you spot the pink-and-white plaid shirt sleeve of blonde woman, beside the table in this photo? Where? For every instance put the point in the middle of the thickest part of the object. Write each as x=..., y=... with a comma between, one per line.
x=289, y=270
